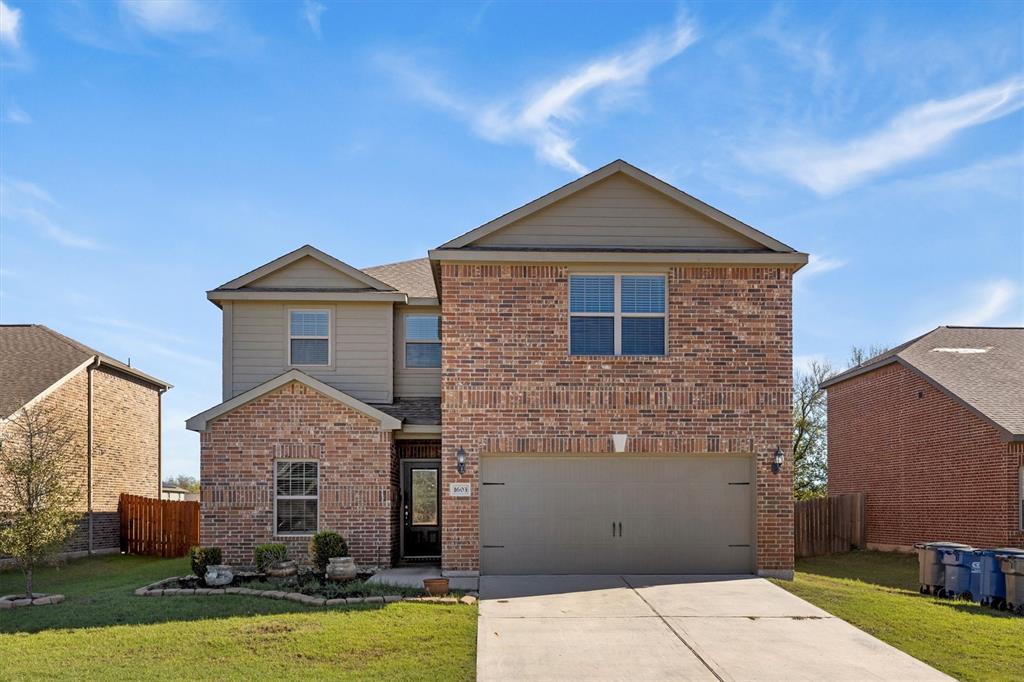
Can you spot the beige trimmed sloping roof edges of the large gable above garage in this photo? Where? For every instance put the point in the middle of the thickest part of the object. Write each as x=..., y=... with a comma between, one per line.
x=619, y=166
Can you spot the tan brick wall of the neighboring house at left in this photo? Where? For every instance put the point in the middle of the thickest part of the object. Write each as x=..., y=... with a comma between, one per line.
x=125, y=448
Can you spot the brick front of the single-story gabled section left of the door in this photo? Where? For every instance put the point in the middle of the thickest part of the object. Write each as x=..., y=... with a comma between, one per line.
x=357, y=475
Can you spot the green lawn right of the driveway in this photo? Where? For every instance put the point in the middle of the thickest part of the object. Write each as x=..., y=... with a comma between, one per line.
x=878, y=592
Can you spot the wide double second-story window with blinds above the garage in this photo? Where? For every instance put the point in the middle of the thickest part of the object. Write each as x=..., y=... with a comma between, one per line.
x=617, y=315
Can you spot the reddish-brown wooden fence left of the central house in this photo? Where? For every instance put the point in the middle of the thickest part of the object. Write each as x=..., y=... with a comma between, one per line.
x=158, y=528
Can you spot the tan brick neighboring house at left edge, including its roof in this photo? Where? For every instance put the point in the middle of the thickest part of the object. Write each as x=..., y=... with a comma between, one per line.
x=113, y=411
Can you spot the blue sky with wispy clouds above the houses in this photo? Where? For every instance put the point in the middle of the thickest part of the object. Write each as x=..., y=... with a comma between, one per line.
x=151, y=151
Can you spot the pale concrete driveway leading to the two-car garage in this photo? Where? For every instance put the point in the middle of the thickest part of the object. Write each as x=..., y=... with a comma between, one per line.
x=671, y=628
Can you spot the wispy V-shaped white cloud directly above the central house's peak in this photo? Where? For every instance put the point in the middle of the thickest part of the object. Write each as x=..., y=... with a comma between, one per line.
x=544, y=114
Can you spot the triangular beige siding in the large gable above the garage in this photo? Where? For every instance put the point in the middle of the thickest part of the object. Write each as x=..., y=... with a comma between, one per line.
x=618, y=212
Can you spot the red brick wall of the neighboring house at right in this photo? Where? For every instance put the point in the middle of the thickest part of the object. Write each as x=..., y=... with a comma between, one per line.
x=932, y=470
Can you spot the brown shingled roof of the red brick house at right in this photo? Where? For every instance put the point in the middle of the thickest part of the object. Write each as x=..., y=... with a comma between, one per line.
x=980, y=367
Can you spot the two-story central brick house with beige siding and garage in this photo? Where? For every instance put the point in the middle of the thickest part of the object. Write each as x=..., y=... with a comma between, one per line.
x=600, y=381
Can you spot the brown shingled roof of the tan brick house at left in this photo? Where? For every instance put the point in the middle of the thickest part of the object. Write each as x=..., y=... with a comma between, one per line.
x=34, y=358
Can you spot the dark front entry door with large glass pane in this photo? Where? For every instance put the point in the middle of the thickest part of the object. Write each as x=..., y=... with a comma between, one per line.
x=421, y=510
